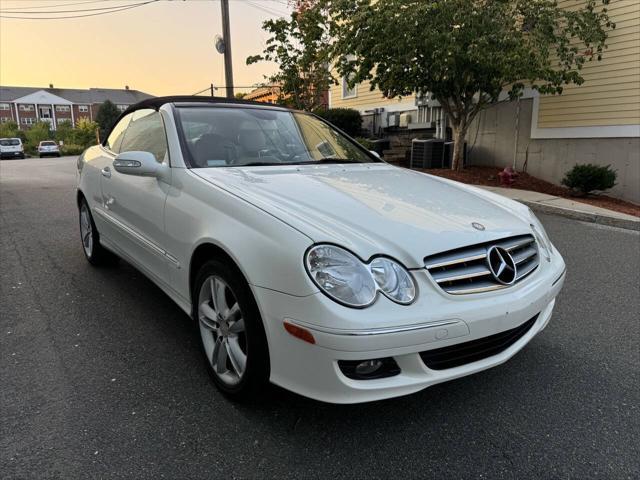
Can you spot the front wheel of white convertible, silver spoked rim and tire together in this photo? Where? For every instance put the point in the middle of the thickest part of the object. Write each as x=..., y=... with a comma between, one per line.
x=231, y=331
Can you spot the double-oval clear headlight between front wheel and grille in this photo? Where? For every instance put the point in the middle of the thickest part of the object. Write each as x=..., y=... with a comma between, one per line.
x=346, y=279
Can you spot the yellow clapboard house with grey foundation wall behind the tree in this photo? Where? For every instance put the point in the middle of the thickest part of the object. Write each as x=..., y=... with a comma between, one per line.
x=597, y=122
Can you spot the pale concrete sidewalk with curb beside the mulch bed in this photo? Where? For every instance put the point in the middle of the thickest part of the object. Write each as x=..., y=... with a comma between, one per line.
x=562, y=206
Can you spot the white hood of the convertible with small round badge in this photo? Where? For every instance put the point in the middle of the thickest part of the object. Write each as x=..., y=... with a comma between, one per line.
x=375, y=208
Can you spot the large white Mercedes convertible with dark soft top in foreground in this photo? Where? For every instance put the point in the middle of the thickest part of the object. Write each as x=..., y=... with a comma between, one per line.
x=308, y=261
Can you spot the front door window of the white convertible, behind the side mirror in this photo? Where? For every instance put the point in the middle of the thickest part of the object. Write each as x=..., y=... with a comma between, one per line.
x=146, y=133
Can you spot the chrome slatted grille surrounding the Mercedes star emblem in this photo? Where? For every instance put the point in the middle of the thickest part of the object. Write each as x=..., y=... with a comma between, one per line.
x=465, y=270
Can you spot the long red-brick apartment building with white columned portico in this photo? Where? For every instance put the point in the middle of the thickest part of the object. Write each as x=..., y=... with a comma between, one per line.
x=28, y=105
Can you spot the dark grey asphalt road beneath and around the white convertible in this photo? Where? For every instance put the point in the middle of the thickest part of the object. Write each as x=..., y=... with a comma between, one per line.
x=101, y=376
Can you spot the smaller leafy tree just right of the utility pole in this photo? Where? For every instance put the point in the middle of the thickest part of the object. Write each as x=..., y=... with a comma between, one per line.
x=298, y=46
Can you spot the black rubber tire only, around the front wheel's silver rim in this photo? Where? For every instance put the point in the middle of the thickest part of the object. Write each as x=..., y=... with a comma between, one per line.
x=254, y=381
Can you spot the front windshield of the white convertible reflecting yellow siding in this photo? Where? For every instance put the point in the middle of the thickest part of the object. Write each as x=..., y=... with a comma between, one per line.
x=231, y=136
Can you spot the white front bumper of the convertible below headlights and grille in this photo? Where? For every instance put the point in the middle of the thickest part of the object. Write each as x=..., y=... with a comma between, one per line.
x=386, y=329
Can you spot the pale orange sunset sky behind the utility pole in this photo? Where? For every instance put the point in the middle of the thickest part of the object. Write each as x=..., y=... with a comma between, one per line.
x=162, y=48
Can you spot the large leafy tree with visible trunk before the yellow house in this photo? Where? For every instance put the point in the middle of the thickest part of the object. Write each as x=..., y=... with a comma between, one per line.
x=465, y=53
